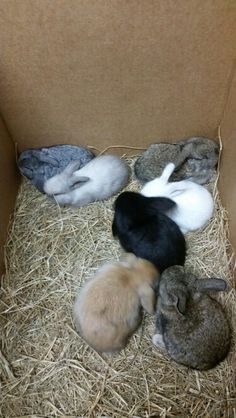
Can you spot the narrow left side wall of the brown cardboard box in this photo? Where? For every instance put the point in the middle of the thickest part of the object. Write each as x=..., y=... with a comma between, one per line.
x=8, y=184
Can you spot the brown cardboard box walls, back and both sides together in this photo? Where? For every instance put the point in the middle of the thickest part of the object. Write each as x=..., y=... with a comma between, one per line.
x=106, y=73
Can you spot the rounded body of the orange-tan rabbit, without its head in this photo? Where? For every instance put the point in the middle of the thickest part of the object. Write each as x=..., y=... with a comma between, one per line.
x=108, y=310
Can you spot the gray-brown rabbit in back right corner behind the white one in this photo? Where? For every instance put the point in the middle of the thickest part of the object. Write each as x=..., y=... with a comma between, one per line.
x=195, y=159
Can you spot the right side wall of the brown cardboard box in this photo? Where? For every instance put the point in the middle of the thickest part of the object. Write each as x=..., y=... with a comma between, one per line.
x=228, y=162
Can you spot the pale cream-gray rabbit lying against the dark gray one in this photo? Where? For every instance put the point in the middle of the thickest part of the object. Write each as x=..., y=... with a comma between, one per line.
x=99, y=179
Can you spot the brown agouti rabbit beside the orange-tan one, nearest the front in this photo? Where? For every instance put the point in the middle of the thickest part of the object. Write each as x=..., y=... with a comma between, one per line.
x=191, y=326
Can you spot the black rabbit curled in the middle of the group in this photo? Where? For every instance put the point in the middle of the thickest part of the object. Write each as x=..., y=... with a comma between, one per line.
x=143, y=229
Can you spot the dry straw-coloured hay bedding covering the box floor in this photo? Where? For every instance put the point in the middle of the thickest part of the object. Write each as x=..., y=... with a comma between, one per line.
x=47, y=370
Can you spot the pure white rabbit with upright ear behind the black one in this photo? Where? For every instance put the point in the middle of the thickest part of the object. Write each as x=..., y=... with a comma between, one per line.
x=194, y=204
